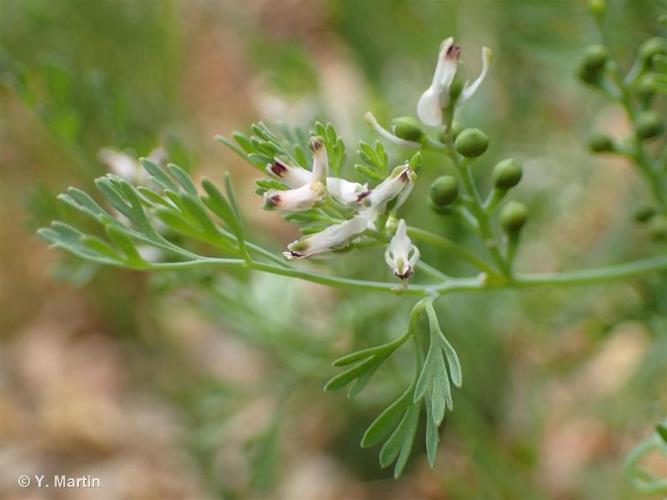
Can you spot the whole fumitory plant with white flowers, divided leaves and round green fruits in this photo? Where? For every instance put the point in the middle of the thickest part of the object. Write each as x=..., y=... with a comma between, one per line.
x=152, y=210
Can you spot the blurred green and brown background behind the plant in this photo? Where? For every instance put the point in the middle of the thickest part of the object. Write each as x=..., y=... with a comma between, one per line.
x=209, y=385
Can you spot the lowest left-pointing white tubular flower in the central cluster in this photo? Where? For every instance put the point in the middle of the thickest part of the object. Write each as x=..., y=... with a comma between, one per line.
x=331, y=238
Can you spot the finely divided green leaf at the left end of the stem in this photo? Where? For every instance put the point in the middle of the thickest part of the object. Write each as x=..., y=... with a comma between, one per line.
x=135, y=213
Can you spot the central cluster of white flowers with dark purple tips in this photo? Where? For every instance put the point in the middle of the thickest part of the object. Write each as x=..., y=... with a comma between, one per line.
x=309, y=189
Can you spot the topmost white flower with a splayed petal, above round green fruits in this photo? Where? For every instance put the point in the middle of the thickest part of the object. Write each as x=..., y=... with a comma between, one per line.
x=437, y=96
